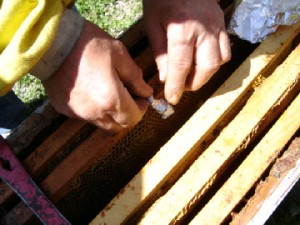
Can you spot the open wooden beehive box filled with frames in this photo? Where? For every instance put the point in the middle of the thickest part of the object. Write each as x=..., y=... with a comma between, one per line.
x=228, y=155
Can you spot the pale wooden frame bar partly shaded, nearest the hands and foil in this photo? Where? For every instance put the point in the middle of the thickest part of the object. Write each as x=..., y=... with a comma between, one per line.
x=190, y=136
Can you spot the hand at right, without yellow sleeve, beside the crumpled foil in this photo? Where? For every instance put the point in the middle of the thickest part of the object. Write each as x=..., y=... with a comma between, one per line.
x=189, y=42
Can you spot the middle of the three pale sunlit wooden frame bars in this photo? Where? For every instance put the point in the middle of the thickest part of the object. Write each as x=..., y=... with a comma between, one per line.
x=187, y=191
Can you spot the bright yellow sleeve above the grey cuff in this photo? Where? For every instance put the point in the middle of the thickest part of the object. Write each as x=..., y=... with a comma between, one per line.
x=27, y=29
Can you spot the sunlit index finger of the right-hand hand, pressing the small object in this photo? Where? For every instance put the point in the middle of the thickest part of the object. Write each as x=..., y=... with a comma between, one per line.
x=180, y=59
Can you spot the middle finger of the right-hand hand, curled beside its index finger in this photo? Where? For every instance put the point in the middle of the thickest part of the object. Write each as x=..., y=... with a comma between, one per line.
x=207, y=62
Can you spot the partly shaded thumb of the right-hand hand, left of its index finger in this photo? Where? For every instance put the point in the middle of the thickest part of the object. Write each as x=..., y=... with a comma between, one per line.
x=158, y=42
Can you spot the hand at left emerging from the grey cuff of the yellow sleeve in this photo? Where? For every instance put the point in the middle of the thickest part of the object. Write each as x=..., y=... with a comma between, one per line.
x=99, y=83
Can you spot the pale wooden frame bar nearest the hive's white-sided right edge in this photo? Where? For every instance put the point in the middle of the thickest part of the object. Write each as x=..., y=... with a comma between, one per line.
x=241, y=181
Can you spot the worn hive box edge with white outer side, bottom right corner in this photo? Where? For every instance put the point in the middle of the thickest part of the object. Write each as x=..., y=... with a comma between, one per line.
x=269, y=193
